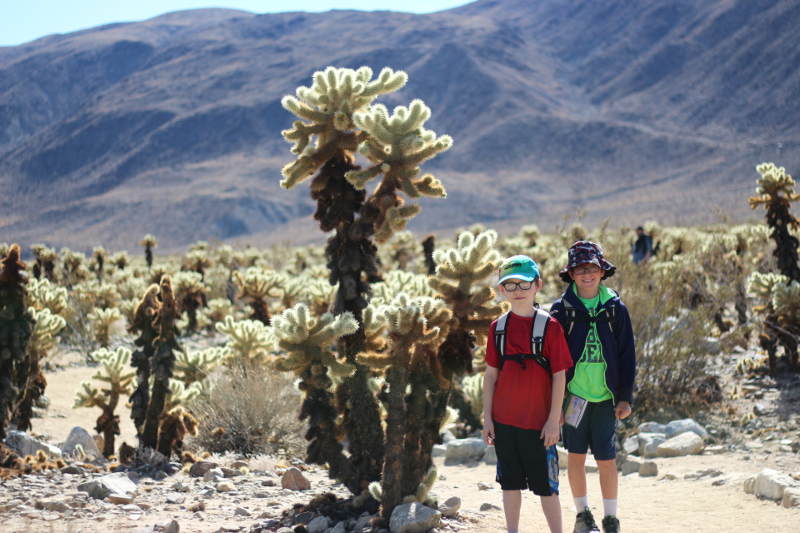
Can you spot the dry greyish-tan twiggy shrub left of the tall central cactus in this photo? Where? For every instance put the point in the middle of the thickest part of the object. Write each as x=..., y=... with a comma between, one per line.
x=250, y=413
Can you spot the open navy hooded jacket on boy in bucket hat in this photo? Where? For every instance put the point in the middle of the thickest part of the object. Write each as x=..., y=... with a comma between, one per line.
x=619, y=349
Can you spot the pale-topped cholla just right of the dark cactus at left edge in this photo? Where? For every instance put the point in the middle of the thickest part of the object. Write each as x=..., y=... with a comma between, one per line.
x=31, y=381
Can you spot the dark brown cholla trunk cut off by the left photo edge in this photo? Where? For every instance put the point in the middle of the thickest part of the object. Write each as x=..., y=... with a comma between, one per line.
x=16, y=326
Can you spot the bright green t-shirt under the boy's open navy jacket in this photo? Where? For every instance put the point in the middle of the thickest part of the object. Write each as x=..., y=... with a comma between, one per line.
x=589, y=380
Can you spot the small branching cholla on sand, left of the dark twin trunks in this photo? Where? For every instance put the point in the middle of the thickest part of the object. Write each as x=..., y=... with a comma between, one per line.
x=116, y=379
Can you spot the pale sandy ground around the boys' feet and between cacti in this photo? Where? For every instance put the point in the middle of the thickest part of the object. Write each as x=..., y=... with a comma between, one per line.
x=667, y=503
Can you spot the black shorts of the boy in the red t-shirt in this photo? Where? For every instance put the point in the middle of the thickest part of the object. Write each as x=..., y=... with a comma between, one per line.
x=523, y=462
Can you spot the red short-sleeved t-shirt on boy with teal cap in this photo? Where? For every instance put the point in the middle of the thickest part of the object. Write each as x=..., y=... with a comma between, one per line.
x=522, y=396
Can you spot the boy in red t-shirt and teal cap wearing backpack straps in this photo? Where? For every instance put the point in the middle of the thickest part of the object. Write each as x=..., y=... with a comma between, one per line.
x=523, y=389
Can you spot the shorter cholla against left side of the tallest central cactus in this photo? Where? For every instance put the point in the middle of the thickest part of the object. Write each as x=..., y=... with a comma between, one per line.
x=308, y=343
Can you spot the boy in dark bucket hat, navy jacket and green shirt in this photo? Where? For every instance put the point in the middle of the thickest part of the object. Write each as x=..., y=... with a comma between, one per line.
x=600, y=385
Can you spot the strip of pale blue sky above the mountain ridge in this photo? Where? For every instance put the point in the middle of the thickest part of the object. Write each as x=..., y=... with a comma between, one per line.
x=25, y=20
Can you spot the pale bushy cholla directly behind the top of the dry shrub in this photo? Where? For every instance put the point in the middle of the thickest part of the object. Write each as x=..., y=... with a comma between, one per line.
x=249, y=345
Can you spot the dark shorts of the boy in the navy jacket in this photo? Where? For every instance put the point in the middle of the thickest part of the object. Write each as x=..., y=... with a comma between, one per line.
x=596, y=429
